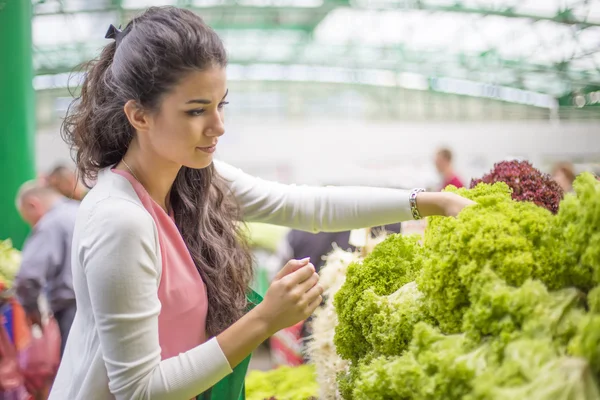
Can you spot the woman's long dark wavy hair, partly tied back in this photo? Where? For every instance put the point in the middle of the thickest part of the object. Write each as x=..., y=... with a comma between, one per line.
x=157, y=49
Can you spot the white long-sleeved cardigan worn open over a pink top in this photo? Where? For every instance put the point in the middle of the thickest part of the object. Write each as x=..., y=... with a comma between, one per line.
x=113, y=350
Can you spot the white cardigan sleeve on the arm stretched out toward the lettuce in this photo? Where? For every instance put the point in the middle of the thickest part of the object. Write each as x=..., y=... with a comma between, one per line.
x=315, y=209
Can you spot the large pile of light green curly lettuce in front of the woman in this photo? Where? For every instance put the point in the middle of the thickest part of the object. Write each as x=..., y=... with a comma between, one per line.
x=502, y=302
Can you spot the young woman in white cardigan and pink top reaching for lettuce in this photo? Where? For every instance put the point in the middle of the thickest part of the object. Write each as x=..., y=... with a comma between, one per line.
x=160, y=271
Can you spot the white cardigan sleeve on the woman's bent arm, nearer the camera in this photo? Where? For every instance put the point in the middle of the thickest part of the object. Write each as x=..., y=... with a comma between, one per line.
x=118, y=254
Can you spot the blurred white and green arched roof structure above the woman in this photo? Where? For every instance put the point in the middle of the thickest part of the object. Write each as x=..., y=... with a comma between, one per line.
x=533, y=52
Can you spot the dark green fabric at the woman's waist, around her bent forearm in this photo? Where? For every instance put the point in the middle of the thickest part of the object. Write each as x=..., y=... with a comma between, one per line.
x=233, y=387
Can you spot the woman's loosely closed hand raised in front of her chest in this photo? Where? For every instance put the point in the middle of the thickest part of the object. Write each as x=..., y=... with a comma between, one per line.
x=292, y=297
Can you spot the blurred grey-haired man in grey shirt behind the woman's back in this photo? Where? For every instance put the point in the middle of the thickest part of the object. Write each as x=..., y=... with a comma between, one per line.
x=46, y=256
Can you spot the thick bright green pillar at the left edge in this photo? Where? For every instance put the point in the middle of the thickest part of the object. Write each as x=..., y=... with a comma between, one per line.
x=17, y=113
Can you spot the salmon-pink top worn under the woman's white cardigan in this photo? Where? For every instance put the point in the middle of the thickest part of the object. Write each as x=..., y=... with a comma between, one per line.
x=182, y=293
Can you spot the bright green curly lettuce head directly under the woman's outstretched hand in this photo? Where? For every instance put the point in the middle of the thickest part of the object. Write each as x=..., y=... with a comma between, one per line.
x=498, y=233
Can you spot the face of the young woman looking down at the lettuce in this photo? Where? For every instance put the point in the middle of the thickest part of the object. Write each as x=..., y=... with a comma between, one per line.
x=187, y=127
